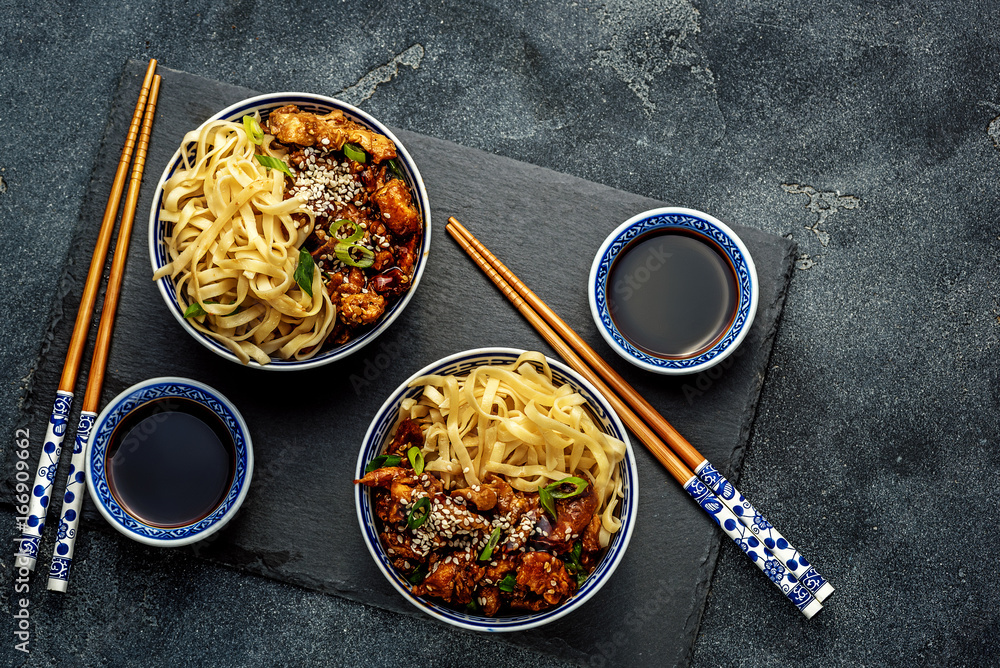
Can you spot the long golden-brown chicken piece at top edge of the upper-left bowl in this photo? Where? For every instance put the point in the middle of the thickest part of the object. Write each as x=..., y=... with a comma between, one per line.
x=332, y=131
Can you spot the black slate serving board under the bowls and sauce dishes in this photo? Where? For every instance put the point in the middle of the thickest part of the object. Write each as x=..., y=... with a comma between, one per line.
x=298, y=522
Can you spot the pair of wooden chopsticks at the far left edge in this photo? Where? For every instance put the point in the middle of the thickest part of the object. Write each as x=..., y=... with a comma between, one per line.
x=31, y=531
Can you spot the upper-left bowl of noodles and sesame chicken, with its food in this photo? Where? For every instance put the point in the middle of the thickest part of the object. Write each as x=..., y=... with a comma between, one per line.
x=289, y=235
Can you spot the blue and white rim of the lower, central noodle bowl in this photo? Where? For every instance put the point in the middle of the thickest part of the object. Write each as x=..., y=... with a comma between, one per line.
x=629, y=505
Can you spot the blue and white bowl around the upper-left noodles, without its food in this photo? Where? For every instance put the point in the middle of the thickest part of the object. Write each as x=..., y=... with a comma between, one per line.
x=319, y=104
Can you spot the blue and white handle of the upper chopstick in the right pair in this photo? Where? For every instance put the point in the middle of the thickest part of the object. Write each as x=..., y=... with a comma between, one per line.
x=765, y=531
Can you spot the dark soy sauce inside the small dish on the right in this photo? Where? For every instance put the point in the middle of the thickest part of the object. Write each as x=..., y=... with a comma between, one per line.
x=672, y=294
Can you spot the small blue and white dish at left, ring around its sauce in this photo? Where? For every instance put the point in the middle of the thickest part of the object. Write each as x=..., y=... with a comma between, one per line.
x=128, y=401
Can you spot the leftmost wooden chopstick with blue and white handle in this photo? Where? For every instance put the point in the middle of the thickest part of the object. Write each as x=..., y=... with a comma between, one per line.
x=34, y=525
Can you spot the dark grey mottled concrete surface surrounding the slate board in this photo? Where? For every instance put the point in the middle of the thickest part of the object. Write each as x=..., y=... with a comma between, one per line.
x=869, y=133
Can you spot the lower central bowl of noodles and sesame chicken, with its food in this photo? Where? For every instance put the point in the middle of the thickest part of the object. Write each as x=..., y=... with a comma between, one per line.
x=501, y=490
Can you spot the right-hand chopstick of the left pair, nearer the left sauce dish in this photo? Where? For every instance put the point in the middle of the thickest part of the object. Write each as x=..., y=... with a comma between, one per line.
x=62, y=557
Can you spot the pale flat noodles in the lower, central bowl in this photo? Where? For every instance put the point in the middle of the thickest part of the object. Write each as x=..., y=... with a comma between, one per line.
x=512, y=420
